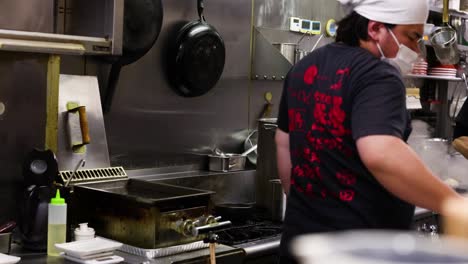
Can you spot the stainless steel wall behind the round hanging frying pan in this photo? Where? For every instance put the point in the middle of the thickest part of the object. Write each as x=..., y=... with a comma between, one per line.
x=151, y=126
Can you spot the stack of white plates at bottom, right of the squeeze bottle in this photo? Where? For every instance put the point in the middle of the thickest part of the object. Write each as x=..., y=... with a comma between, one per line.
x=91, y=251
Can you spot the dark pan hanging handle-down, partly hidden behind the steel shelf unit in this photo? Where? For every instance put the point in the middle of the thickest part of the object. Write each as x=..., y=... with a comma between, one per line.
x=142, y=25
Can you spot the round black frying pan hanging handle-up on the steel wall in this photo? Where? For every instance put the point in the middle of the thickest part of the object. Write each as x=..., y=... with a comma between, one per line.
x=198, y=56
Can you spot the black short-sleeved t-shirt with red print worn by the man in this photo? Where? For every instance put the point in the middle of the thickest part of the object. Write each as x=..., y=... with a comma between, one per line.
x=330, y=99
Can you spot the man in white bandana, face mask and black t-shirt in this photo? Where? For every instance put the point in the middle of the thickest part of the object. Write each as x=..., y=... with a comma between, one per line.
x=343, y=123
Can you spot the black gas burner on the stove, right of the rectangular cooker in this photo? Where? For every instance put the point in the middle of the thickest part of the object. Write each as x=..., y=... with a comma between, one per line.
x=248, y=232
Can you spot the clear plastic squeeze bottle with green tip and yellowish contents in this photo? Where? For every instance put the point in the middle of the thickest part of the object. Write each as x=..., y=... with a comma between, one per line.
x=56, y=231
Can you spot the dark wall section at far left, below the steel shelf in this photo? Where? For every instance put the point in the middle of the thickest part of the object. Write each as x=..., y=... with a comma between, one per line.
x=22, y=125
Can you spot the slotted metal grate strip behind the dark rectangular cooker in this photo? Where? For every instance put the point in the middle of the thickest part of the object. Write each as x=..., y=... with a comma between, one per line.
x=91, y=175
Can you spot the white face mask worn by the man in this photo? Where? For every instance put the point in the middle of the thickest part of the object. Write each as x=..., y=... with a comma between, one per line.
x=404, y=59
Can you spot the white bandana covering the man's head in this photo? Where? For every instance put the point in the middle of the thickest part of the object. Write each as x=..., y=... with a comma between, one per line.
x=397, y=12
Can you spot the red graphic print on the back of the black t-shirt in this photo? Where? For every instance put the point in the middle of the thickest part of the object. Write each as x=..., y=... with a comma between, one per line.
x=323, y=105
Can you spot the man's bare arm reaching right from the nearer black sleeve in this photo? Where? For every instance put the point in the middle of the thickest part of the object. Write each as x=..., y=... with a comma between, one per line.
x=397, y=167
